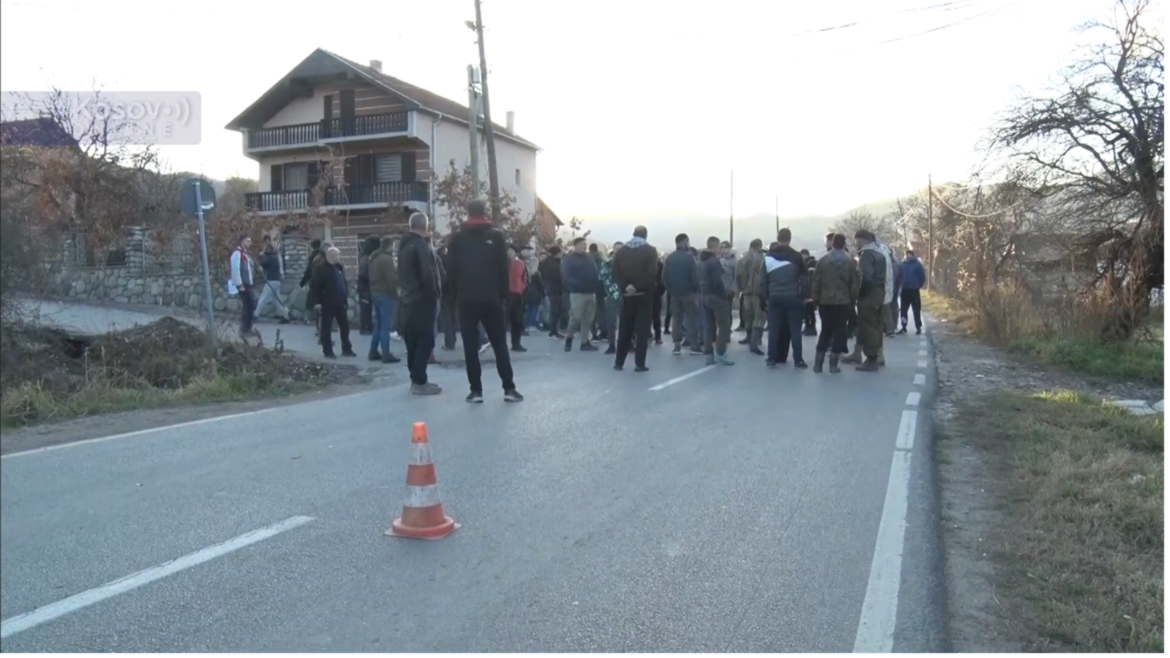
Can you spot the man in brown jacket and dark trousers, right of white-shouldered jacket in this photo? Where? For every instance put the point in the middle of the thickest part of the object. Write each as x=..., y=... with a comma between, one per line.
x=835, y=290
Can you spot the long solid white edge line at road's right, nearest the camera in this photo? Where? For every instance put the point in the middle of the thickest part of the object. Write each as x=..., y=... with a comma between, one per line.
x=879, y=612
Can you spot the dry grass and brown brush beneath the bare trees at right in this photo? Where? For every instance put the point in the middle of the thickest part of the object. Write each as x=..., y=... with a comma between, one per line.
x=1063, y=334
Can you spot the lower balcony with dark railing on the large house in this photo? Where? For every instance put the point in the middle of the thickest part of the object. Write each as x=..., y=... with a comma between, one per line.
x=348, y=197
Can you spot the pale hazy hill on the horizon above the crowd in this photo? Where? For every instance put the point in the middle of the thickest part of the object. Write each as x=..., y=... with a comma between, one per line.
x=808, y=231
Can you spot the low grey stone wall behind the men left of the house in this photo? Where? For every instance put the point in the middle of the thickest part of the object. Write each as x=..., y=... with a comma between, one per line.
x=133, y=275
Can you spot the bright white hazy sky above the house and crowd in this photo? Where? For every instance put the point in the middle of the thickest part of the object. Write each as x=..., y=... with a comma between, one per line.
x=642, y=106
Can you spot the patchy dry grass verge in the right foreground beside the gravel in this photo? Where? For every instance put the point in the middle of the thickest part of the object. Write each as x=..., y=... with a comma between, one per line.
x=1082, y=546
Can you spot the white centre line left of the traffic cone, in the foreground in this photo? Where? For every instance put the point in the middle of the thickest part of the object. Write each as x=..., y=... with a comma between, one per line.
x=20, y=623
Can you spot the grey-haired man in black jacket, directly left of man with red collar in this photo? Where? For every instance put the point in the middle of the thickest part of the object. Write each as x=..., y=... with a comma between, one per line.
x=419, y=283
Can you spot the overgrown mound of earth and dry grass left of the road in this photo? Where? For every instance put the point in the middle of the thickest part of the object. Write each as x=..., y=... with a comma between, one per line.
x=47, y=375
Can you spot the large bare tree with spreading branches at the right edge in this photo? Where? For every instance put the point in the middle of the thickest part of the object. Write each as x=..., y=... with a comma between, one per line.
x=1096, y=146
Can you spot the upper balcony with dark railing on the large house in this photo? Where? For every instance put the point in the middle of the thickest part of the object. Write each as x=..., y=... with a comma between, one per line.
x=329, y=132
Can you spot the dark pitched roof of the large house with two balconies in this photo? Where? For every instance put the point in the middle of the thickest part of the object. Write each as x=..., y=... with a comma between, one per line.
x=324, y=63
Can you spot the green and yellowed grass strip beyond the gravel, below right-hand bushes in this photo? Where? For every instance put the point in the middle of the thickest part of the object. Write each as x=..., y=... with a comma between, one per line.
x=1015, y=327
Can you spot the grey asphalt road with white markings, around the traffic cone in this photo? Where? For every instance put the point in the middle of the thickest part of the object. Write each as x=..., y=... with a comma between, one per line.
x=740, y=511
